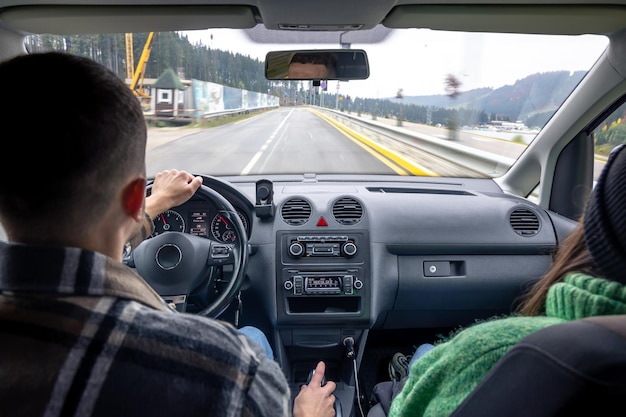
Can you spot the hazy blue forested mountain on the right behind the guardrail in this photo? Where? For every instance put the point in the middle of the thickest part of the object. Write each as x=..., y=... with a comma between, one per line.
x=532, y=99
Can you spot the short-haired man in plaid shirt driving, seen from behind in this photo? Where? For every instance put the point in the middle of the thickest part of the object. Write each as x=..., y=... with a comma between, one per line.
x=81, y=334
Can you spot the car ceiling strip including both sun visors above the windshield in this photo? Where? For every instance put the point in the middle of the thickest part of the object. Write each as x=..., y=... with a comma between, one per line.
x=86, y=16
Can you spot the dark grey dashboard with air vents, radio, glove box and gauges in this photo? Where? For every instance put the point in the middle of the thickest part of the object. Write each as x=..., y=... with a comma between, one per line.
x=340, y=258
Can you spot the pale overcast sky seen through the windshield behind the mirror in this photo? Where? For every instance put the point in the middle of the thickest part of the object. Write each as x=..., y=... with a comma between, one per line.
x=418, y=60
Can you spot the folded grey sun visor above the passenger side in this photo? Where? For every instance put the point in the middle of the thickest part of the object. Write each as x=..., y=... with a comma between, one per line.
x=567, y=19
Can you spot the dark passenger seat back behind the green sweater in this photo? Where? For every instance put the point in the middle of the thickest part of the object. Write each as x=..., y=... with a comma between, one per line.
x=574, y=368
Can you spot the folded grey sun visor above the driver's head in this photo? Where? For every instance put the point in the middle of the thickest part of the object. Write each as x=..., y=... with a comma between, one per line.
x=75, y=20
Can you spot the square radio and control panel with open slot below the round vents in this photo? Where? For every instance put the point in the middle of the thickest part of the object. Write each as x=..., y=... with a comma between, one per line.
x=324, y=278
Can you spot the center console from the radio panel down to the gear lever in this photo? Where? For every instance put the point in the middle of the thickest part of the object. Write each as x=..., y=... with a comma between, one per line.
x=323, y=302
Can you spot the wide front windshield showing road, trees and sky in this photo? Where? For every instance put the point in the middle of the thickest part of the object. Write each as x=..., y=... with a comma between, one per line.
x=435, y=103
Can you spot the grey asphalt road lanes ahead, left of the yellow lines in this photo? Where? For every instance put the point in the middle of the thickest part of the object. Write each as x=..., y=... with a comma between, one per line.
x=286, y=140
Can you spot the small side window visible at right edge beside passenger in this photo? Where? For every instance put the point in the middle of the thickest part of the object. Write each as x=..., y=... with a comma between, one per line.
x=610, y=133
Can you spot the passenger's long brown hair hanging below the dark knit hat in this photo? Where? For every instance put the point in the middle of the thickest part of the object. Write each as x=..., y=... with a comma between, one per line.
x=573, y=255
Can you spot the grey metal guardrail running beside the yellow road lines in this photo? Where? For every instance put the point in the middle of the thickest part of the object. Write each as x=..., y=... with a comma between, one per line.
x=475, y=160
